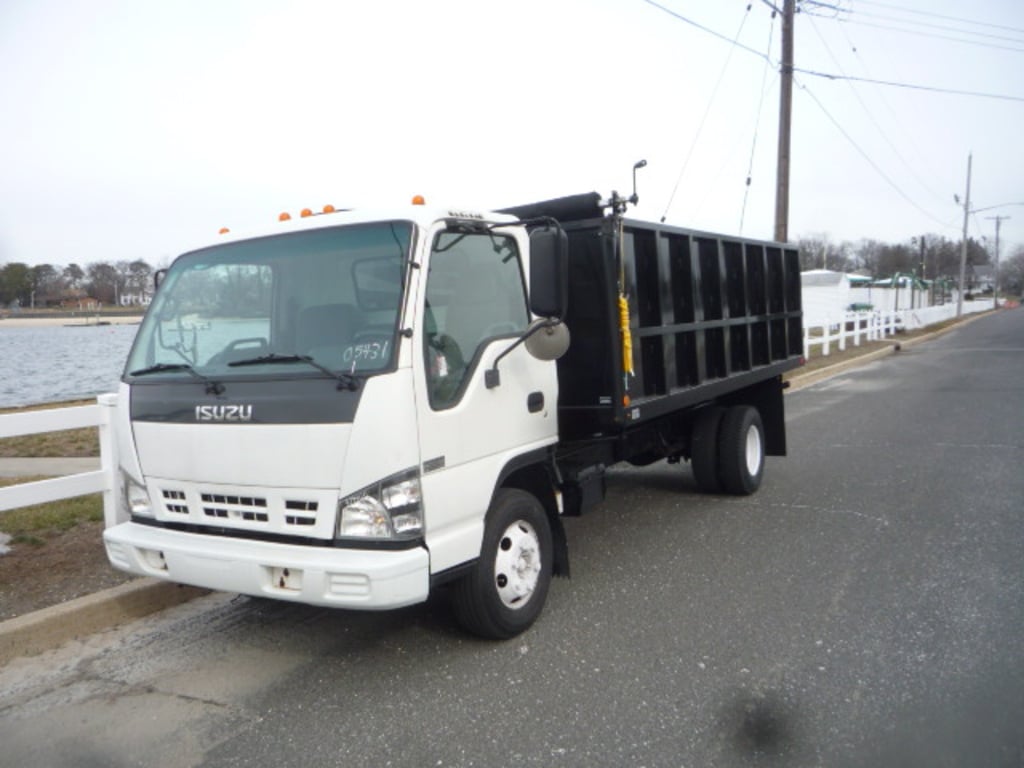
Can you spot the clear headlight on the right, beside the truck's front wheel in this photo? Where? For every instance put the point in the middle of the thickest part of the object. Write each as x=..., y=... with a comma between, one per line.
x=390, y=509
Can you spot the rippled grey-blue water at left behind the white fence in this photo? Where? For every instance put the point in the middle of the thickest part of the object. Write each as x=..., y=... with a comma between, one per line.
x=60, y=363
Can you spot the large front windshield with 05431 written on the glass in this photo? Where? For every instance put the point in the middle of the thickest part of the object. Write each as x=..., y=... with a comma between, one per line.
x=331, y=295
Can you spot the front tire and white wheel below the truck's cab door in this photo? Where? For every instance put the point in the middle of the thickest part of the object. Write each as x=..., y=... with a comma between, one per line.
x=505, y=592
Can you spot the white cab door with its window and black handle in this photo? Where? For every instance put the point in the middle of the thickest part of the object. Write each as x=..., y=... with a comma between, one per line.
x=475, y=309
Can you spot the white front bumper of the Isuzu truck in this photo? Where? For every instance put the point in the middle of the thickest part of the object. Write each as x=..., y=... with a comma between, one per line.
x=369, y=580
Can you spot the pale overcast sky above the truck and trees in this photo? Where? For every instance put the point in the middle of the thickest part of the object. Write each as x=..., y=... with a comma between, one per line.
x=134, y=130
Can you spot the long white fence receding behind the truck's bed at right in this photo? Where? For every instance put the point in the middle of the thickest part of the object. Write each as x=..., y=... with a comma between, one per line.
x=875, y=326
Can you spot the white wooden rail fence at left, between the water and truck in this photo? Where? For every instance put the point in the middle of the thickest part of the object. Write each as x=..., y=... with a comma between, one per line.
x=102, y=481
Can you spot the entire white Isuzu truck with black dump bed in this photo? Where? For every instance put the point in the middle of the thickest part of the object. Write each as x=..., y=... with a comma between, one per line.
x=355, y=409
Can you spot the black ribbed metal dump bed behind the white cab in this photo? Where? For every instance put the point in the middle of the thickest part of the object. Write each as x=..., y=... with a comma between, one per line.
x=709, y=315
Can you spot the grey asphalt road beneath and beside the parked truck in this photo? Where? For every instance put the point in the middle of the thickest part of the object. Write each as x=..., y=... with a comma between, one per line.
x=865, y=609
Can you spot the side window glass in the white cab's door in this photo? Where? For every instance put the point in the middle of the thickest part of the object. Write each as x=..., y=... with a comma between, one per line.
x=476, y=293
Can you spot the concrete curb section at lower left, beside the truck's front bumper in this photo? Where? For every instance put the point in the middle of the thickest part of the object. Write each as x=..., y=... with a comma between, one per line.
x=44, y=630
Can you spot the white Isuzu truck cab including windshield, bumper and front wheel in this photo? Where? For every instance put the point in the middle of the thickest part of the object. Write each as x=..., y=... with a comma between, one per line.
x=315, y=414
